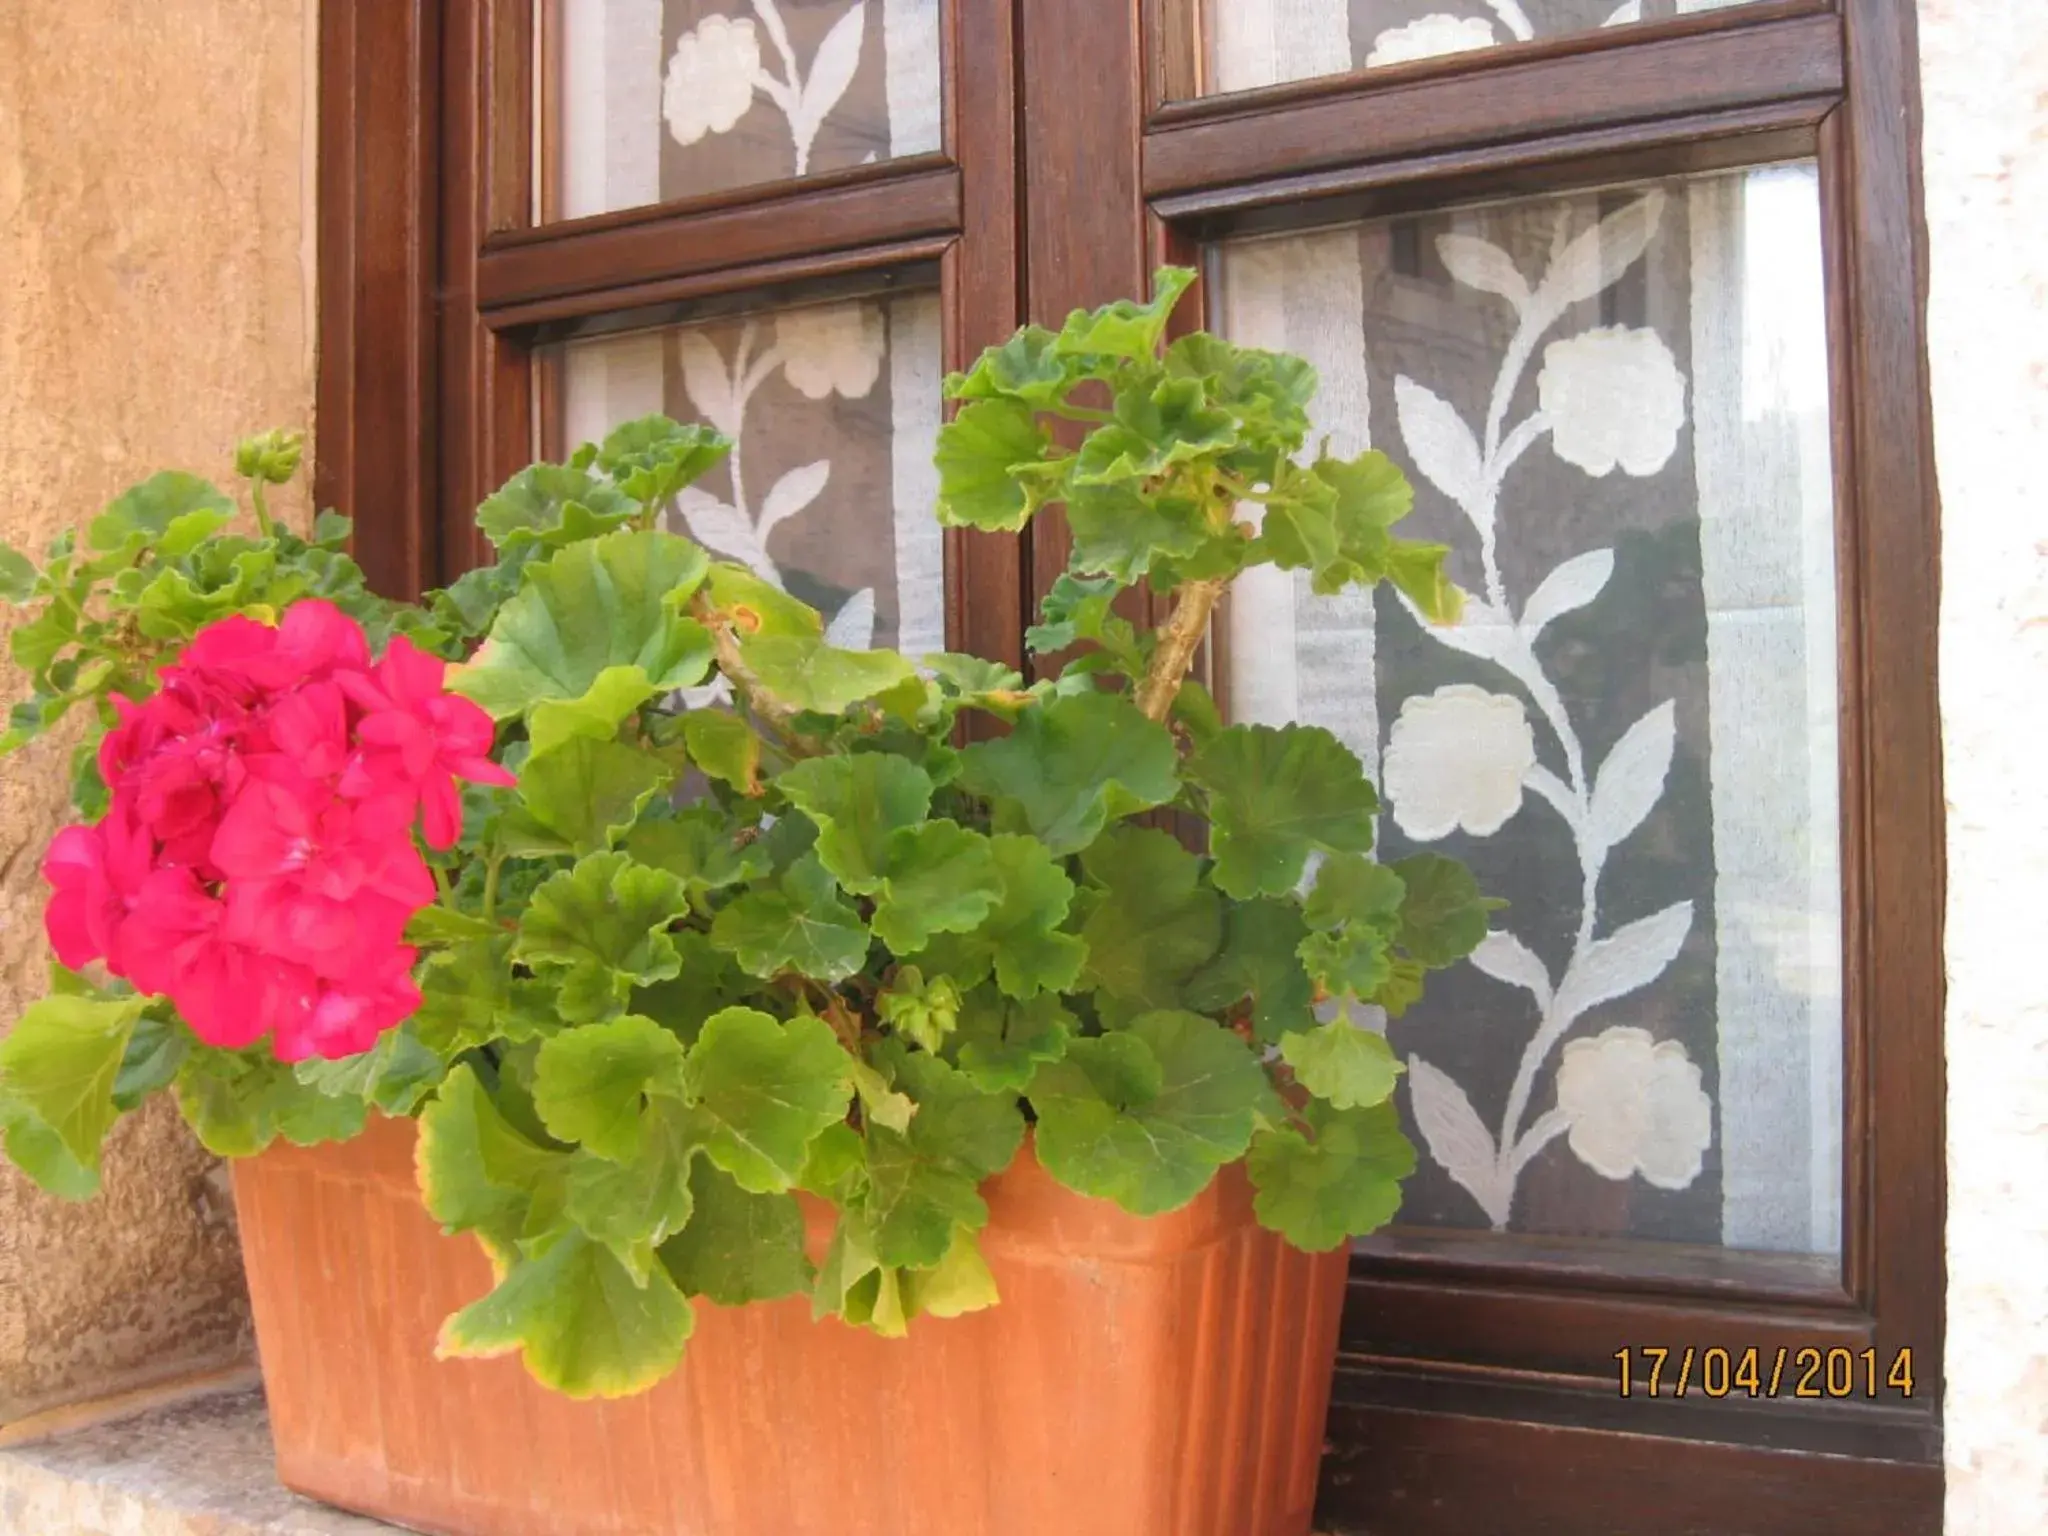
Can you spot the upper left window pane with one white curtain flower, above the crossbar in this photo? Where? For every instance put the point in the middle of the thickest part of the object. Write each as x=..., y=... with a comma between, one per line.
x=667, y=99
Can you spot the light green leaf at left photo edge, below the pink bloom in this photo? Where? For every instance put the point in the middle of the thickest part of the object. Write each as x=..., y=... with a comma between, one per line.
x=58, y=1074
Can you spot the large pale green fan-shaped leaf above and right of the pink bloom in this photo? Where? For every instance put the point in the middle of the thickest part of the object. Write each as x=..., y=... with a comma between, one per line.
x=605, y=603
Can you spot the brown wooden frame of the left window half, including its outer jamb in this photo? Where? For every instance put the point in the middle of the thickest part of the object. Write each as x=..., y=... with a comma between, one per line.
x=437, y=288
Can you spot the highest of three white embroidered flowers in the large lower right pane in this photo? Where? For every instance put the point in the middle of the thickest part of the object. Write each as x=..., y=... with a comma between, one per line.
x=1613, y=396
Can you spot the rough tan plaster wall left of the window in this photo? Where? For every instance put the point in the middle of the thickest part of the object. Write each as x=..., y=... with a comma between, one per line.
x=155, y=306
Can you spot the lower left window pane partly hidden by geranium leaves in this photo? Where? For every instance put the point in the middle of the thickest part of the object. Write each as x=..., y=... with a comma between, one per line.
x=830, y=488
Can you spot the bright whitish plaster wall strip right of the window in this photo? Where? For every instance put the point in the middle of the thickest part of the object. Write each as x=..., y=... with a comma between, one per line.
x=1986, y=89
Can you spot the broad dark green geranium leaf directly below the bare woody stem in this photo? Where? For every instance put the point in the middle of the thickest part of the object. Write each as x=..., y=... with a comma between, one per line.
x=1277, y=796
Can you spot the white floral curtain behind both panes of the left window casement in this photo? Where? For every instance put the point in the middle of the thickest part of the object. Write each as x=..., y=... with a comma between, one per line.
x=835, y=409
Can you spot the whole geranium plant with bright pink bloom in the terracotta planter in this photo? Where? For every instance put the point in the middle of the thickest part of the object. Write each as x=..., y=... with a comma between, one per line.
x=648, y=972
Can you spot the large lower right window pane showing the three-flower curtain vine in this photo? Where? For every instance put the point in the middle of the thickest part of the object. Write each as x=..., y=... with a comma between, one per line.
x=1615, y=413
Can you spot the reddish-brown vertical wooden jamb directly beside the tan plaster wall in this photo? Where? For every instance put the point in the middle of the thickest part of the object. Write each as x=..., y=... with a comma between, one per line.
x=374, y=443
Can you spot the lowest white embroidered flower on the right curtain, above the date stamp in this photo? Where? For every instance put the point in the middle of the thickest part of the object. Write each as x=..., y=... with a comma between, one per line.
x=1635, y=1107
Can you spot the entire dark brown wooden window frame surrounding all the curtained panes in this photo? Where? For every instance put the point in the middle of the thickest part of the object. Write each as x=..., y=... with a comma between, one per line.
x=1465, y=1385
